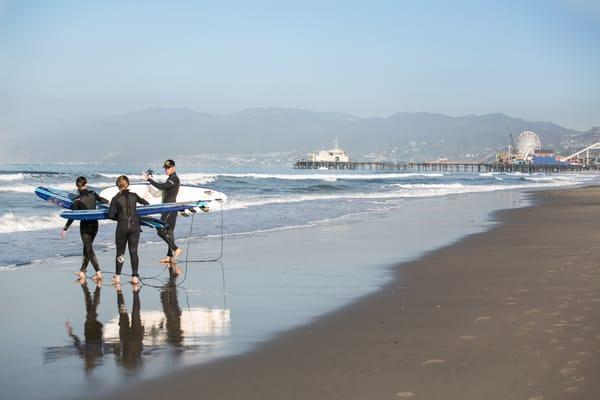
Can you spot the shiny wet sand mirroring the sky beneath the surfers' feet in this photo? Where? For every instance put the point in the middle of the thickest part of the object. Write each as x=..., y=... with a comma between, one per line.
x=73, y=341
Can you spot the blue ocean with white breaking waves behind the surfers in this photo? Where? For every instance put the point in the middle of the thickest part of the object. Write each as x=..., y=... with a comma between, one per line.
x=260, y=199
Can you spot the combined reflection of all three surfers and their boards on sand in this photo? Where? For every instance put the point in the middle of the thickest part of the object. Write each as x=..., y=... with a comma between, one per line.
x=131, y=338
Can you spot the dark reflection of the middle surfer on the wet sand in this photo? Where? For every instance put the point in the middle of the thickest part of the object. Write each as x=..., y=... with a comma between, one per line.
x=131, y=335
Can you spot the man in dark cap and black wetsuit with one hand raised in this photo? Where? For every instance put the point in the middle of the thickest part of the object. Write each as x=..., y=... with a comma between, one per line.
x=170, y=188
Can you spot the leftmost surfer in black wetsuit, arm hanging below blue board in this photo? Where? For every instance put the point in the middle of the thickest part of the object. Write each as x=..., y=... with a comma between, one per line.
x=86, y=200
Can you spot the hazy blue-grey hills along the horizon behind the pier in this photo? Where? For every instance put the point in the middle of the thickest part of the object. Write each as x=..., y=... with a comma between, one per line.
x=153, y=134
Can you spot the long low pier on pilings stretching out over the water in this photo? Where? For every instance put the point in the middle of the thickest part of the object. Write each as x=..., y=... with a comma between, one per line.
x=440, y=166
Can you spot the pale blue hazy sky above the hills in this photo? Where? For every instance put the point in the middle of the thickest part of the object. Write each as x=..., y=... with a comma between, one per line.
x=64, y=60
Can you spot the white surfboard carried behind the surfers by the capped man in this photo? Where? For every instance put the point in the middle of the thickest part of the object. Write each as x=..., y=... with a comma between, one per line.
x=187, y=193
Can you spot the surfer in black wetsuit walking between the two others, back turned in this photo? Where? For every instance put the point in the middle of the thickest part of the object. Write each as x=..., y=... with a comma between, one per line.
x=123, y=210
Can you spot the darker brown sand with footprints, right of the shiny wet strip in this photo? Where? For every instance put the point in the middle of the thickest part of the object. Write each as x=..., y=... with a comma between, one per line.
x=513, y=313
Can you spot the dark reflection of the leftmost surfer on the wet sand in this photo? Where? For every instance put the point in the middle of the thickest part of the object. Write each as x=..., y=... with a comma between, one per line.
x=91, y=350
